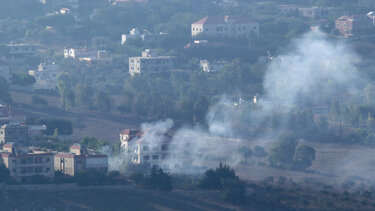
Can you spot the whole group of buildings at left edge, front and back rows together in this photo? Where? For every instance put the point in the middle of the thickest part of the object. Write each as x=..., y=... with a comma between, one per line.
x=25, y=161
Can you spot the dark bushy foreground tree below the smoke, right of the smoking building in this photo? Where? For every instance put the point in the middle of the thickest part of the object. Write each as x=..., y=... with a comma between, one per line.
x=212, y=179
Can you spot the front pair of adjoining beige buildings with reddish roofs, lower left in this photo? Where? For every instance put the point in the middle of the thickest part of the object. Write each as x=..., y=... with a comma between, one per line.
x=26, y=162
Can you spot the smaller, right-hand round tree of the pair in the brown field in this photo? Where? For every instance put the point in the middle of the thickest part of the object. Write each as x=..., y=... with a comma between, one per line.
x=303, y=157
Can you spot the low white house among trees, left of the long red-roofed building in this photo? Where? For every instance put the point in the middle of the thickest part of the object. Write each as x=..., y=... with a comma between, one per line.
x=145, y=36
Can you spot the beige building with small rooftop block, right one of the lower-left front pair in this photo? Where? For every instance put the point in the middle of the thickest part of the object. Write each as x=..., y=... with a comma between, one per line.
x=80, y=159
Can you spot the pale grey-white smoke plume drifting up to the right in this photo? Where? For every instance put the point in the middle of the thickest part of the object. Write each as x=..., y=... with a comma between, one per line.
x=313, y=72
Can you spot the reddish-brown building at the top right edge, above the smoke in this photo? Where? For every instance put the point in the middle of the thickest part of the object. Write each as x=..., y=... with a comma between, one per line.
x=353, y=25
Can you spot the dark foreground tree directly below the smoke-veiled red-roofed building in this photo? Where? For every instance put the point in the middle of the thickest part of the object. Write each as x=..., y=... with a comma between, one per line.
x=158, y=180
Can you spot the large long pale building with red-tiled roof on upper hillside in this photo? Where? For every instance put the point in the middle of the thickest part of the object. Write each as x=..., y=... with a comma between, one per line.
x=225, y=26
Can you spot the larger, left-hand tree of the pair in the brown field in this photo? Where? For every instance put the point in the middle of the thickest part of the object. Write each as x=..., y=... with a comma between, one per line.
x=282, y=153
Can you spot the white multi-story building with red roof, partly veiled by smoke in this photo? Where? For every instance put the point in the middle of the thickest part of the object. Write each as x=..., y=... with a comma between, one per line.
x=152, y=147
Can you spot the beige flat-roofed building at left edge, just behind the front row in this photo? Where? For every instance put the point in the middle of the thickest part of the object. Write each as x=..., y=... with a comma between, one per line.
x=15, y=133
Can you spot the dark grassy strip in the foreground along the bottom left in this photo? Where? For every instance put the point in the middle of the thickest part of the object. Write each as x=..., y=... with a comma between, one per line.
x=49, y=197
